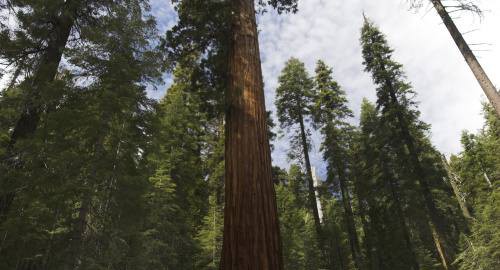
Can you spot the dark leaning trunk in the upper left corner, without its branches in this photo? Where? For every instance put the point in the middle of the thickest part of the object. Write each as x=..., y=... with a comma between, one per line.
x=43, y=75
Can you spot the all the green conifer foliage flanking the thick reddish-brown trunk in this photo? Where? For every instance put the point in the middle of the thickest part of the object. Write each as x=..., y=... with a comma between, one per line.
x=111, y=179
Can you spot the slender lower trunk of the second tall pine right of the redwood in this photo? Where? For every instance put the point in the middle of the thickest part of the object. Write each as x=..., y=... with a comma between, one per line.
x=351, y=226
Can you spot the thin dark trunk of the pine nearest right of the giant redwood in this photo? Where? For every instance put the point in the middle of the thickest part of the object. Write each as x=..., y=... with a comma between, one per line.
x=310, y=181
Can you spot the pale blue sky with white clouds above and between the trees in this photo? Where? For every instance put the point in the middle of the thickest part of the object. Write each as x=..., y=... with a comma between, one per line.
x=448, y=94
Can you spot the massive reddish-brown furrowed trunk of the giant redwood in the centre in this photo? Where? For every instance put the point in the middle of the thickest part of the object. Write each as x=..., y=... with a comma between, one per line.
x=251, y=228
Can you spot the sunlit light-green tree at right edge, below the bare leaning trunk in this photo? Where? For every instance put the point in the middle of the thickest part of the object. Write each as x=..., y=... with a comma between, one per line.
x=478, y=167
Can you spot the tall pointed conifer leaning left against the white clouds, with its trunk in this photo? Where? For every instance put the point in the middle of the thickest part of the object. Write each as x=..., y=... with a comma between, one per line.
x=399, y=116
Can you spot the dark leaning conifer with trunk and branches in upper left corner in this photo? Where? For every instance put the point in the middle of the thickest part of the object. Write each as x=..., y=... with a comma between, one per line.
x=36, y=50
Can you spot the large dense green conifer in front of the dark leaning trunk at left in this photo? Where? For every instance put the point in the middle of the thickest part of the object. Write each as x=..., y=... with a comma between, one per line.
x=83, y=172
